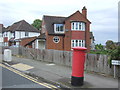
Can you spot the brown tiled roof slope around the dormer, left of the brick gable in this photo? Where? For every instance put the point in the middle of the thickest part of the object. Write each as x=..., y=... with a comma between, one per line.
x=51, y=20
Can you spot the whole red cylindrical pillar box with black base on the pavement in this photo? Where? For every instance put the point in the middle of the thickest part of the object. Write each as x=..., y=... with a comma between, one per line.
x=78, y=66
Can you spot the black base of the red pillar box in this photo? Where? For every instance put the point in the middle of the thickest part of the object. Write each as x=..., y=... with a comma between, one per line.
x=77, y=81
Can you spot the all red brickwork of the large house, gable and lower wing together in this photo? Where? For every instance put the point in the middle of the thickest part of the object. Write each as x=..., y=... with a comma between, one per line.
x=65, y=41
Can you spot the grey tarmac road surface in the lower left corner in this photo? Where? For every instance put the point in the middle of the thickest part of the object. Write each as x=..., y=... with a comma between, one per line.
x=14, y=79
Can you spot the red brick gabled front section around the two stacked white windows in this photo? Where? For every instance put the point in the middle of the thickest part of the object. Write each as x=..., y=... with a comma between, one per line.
x=77, y=17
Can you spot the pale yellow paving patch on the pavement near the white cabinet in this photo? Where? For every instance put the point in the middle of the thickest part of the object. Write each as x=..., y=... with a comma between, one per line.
x=21, y=66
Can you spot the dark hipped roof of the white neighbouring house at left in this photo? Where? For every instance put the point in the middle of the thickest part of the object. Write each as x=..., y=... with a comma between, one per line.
x=22, y=26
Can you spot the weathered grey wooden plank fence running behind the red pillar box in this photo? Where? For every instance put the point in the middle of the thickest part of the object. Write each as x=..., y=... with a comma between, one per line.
x=94, y=62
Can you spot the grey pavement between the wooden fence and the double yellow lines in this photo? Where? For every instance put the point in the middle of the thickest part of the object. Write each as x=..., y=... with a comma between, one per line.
x=60, y=75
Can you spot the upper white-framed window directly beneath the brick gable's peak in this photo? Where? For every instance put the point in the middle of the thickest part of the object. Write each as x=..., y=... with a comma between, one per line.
x=78, y=26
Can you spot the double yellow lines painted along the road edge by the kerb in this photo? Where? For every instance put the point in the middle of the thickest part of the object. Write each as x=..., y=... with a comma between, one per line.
x=29, y=77
